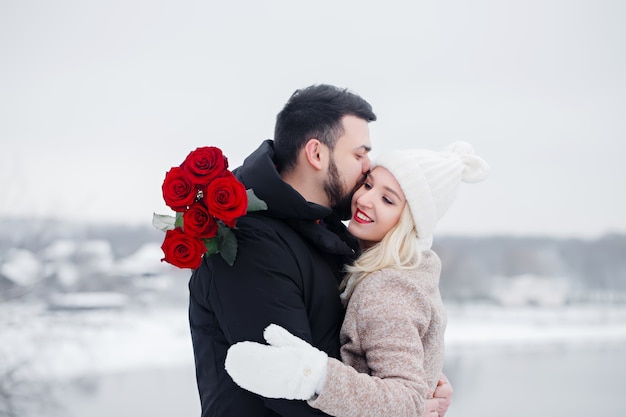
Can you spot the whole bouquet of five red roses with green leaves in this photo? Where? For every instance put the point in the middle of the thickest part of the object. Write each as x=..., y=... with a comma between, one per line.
x=208, y=199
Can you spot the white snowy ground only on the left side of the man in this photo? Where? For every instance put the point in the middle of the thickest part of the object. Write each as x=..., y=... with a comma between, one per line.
x=69, y=344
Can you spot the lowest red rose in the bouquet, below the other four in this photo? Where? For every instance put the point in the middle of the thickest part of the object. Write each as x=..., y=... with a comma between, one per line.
x=182, y=250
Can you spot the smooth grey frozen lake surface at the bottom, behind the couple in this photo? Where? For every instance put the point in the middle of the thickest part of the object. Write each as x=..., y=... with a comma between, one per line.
x=547, y=383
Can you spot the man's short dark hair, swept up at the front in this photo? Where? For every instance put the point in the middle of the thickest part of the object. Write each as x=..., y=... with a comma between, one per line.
x=314, y=112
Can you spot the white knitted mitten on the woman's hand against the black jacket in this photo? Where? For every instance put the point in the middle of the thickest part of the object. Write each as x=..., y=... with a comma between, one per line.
x=287, y=368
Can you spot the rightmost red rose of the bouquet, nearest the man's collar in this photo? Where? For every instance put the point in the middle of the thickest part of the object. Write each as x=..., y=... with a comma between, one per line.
x=226, y=199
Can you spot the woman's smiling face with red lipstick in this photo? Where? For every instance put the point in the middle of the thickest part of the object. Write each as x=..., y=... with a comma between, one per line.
x=376, y=207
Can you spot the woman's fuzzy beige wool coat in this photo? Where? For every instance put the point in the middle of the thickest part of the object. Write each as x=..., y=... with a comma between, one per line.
x=392, y=345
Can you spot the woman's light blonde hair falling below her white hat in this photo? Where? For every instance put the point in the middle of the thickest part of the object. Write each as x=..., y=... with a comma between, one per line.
x=398, y=249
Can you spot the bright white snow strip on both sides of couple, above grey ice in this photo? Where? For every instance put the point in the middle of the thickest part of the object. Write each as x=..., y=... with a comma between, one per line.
x=65, y=344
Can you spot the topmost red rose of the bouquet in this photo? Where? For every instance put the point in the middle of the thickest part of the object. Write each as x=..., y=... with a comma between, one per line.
x=204, y=164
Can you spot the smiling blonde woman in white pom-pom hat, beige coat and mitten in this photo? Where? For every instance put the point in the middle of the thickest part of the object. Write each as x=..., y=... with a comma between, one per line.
x=392, y=336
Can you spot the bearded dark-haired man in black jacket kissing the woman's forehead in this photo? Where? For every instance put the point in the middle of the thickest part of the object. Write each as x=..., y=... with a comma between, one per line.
x=289, y=257
